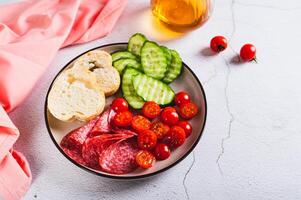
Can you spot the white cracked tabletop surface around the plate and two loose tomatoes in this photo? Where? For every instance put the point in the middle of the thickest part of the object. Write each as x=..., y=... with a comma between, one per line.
x=251, y=142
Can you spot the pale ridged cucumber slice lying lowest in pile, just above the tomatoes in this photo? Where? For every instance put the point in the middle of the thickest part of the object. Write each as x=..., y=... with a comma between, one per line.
x=151, y=89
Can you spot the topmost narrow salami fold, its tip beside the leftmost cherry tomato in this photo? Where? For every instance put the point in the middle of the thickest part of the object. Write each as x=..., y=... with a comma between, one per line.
x=102, y=125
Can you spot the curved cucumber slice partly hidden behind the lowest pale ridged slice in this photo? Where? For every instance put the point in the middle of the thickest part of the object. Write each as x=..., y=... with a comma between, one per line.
x=128, y=90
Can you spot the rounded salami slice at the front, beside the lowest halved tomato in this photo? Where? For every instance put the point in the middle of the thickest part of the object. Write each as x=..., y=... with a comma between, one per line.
x=119, y=158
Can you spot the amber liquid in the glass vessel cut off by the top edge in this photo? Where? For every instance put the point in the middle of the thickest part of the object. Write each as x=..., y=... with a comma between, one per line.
x=181, y=12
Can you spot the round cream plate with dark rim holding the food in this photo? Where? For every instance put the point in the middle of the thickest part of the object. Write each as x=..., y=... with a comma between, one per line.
x=187, y=81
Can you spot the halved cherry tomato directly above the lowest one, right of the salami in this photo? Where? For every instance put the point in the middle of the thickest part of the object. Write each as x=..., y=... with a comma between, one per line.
x=147, y=140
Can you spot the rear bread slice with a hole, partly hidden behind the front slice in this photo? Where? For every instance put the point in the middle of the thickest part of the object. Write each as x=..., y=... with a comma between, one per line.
x=100, y=64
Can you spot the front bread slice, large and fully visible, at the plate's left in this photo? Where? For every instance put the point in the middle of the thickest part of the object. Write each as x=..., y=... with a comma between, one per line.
x=75, y=95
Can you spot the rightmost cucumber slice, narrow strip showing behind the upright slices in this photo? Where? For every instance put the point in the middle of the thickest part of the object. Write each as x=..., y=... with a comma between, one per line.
x=174, y=69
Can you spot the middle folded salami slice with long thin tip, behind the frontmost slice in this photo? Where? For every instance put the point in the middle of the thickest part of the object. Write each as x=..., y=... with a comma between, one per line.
x=93, y=147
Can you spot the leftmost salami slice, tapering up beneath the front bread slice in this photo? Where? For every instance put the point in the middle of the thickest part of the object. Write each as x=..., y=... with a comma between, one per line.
x=75, y=139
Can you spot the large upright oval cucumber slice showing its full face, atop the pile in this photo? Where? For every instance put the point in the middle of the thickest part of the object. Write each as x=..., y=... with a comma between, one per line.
x=153, y=60
